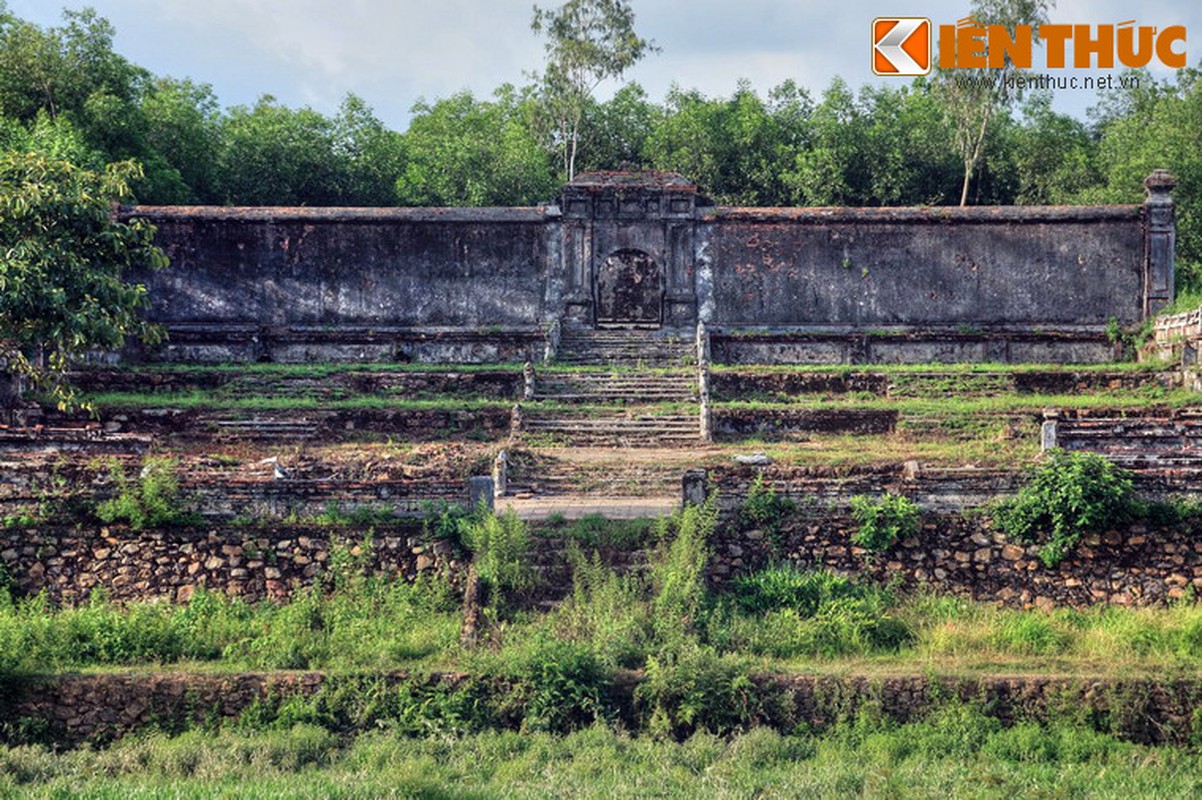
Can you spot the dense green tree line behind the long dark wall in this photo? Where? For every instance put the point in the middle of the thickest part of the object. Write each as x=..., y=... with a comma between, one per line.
x=67, y=95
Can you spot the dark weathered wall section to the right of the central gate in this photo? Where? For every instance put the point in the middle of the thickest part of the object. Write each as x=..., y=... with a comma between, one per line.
x=892, y=267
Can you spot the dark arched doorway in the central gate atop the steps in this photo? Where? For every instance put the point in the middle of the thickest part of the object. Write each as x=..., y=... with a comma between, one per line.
x=629, y=291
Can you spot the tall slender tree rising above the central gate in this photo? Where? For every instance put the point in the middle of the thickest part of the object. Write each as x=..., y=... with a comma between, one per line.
x=587, y=43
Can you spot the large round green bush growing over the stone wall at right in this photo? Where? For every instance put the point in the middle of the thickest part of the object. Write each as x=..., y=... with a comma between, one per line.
x=1070, y=495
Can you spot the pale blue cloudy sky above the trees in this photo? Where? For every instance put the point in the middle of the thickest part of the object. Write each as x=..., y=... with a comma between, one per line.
x=395, y=52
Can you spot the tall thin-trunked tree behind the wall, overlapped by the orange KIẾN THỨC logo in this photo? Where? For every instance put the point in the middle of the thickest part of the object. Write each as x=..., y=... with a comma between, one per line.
x=975, y=97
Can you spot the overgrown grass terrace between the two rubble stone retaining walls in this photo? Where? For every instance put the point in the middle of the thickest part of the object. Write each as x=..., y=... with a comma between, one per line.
x=778, y=622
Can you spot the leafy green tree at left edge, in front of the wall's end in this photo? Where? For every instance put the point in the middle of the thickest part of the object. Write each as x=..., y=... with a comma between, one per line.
x=63, y=266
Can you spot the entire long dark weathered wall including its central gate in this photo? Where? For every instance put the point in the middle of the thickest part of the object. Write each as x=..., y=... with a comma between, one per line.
x=646, y=252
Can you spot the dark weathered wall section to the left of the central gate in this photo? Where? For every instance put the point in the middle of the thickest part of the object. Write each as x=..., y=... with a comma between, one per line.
x=366, y=267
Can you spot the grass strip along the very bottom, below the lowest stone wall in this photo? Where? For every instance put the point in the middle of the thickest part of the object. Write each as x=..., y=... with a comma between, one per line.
x=957, y=754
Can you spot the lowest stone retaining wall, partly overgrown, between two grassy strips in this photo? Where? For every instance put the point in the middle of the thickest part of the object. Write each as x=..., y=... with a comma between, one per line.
x=72, y=711
